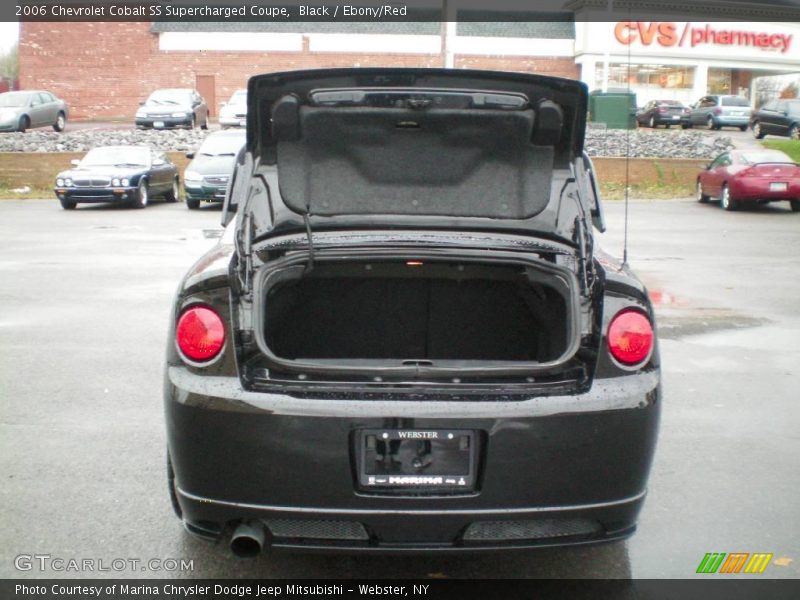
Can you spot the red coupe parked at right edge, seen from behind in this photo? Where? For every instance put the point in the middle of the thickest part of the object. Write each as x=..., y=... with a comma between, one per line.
x=742, y=177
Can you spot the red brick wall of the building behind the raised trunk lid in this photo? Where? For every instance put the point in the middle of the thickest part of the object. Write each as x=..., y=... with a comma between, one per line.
x=104, y=69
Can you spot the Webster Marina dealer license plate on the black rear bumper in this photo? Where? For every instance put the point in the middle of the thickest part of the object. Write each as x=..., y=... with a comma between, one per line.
x=414, y=460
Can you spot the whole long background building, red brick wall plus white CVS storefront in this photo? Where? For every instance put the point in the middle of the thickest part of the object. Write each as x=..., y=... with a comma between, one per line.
x=104, y=69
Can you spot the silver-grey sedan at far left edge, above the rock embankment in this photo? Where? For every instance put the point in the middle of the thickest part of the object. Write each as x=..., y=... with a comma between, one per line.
x=20, y=111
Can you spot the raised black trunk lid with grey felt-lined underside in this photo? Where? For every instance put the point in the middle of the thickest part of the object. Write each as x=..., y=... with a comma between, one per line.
x=416, y=142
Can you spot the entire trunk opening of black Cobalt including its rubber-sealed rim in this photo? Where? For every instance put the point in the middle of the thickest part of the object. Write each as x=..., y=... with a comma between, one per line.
x=420, y=314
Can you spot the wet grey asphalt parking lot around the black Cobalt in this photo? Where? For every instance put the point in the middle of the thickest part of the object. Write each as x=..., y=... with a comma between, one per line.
x=86, y=294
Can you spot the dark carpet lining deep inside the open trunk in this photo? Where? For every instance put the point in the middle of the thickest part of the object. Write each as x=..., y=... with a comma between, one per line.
x=407, y=319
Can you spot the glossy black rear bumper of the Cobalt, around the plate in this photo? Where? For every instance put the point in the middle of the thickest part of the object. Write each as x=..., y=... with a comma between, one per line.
x=552, y=471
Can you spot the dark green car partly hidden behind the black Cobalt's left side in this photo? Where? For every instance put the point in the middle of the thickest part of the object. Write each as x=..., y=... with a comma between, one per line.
x=206, y=177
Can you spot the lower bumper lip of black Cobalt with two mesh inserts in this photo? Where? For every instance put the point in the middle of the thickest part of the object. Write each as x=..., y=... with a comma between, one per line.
x=319, y=528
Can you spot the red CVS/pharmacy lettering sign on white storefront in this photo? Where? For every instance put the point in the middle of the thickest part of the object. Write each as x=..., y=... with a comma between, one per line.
x=679, y=35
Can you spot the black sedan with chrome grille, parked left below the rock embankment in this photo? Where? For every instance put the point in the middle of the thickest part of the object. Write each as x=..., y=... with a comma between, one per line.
x=131, y=174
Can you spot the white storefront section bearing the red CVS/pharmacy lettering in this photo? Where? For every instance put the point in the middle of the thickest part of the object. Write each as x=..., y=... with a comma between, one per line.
x=684, y=60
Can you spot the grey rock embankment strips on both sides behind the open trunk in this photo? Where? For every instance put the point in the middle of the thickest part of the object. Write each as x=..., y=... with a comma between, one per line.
x=599, y=142
